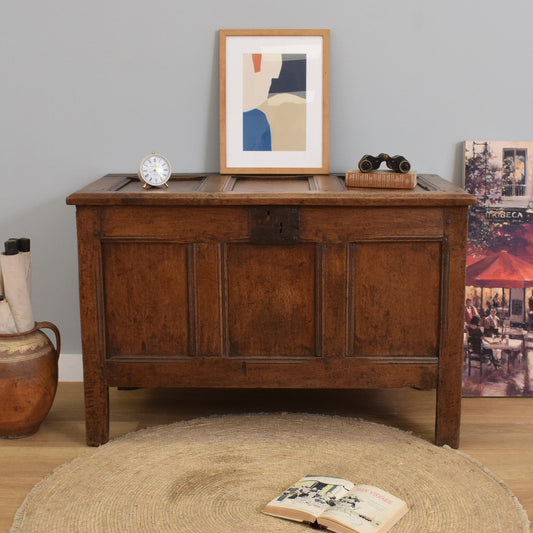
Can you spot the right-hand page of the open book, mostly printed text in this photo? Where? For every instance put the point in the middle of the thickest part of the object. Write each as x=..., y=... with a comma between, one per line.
x=365, y=509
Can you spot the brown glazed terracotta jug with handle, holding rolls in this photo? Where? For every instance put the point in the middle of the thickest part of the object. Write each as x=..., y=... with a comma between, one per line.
x=28, y=379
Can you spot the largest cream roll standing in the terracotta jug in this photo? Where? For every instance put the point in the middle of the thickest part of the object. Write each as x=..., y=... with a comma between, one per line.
x=16, y=290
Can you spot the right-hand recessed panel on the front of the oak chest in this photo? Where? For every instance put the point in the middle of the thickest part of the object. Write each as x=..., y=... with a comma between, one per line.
x=395, y=304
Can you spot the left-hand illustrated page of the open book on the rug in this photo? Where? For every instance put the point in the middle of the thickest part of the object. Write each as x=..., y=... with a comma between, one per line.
x=309, y=496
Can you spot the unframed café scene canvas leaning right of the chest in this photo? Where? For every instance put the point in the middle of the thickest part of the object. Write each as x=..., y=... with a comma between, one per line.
x=498, y=336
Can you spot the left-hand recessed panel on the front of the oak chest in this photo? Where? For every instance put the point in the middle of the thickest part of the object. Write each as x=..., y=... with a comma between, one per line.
x=145, y=299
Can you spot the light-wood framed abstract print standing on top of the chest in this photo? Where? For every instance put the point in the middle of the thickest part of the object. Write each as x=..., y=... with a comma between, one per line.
x=274, y=101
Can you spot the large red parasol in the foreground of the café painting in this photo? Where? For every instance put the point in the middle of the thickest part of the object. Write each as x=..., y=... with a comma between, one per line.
x=500, y=270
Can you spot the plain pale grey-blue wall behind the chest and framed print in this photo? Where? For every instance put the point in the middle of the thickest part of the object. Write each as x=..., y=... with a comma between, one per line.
x=89, y=87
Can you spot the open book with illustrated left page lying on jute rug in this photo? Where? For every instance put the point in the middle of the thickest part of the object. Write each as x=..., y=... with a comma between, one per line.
x=338, y=505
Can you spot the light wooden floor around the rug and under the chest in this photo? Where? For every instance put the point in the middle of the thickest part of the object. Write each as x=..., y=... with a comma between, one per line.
x=498, y=432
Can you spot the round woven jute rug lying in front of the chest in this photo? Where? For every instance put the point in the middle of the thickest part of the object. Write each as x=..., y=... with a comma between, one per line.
x=214, y=475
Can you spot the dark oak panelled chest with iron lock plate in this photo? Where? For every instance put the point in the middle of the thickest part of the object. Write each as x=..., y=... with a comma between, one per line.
x=236, y=281
